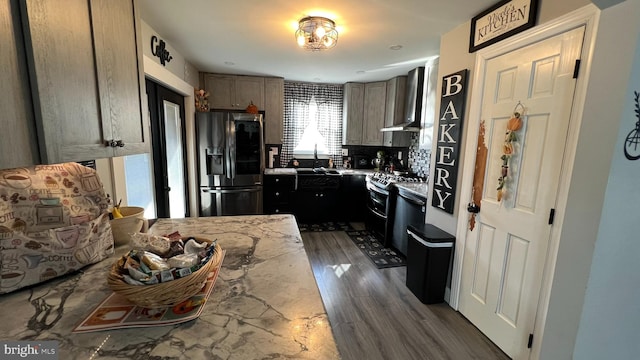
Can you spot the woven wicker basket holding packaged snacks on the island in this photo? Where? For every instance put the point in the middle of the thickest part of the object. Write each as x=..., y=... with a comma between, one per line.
x=165, y=294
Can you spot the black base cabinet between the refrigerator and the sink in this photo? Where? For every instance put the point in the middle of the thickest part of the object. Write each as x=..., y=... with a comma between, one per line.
x=278, y=193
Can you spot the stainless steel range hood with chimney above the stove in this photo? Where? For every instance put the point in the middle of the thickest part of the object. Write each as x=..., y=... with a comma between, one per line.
x=413, y=103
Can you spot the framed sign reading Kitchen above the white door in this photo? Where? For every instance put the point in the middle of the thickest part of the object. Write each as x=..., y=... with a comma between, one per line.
x=504, y=19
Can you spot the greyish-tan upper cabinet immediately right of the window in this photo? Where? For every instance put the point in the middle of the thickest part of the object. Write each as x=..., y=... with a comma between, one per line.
x=352, y=113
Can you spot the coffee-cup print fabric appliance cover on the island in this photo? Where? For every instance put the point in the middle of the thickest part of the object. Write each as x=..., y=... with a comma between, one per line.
x=53, y=220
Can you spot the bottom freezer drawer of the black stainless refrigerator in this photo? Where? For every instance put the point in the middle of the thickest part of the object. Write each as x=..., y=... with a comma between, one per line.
x=231, y=201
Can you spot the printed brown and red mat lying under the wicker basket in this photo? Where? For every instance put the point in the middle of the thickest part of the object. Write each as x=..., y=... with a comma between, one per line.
x=116, y=312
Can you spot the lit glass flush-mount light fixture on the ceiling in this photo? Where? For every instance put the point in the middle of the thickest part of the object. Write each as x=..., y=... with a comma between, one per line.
x=316, y=33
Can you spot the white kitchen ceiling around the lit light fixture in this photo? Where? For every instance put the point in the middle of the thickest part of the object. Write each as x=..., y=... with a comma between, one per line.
x=256, y=37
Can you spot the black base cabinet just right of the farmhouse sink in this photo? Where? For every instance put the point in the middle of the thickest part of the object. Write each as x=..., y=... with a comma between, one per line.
x=353, y=198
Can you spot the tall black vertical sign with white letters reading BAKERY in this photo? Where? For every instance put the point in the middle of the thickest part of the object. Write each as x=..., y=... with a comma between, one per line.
x=454, y=87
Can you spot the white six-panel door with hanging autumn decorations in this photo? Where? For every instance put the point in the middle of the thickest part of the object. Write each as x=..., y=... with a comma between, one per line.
x=505, y=253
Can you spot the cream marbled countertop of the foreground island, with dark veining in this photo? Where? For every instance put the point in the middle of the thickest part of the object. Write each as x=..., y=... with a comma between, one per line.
x=265, y=302
